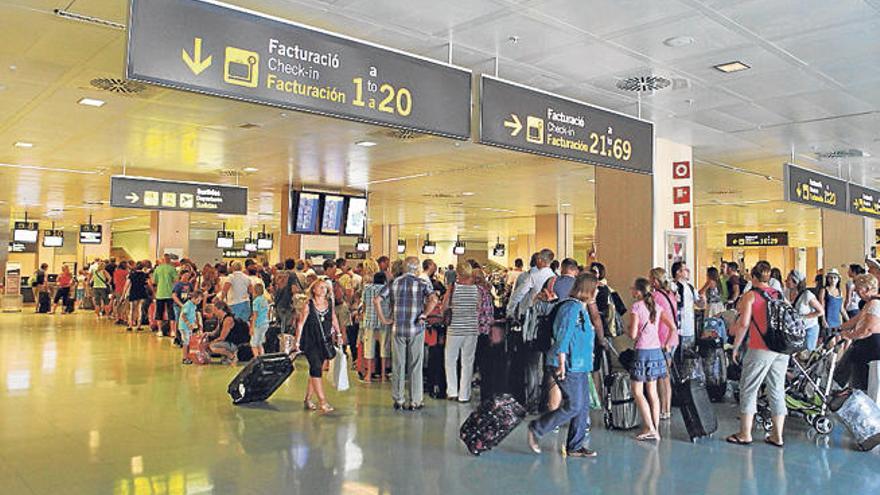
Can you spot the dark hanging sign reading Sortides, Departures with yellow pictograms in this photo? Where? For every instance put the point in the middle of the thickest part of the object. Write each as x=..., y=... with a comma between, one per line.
x=157, y=194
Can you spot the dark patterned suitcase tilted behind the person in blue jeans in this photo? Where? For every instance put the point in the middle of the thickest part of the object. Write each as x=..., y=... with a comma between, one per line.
x=493, y=420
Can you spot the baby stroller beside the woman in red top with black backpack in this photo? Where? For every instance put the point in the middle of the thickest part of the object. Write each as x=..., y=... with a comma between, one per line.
x=808, y=388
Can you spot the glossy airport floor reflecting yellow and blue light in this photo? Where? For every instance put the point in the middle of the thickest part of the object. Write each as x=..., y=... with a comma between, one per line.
x=86, y=408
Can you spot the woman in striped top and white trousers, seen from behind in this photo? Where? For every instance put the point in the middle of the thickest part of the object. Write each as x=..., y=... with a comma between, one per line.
x=461, y=334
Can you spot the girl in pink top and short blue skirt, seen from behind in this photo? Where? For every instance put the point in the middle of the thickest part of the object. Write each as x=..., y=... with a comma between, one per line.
x=649, y=364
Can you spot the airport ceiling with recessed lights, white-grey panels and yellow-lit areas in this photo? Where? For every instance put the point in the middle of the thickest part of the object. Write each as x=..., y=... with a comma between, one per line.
x=812, y=89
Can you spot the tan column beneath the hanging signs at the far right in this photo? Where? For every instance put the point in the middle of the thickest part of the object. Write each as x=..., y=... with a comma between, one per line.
x=843, y=239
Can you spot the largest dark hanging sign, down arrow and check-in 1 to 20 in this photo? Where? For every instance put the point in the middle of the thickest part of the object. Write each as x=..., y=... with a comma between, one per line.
x=235, y=53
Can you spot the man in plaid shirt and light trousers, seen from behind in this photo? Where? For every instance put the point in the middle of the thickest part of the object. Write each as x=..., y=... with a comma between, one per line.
x=411, y=299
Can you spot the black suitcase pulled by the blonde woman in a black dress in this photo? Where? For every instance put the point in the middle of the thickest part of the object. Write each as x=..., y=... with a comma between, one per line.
x=260, y=378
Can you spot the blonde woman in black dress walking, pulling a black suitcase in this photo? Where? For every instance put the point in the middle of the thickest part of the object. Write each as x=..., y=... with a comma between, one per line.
x=317, y=325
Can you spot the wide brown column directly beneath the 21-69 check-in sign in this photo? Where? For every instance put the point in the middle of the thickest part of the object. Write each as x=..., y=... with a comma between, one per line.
x=624, y=226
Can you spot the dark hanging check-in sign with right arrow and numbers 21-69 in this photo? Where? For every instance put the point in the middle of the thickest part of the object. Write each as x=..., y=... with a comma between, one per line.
x=529, y=120
